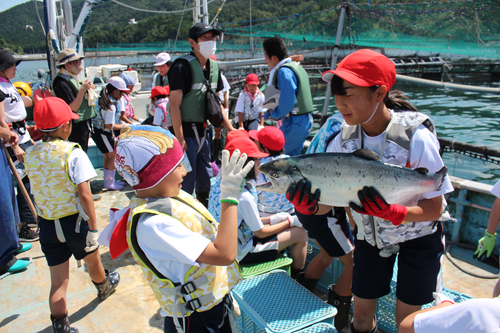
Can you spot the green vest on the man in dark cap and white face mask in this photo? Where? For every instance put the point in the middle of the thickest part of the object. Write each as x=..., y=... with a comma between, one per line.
x=193, y=103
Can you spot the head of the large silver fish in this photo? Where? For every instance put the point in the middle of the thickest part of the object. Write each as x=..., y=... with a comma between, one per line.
x=280, y=173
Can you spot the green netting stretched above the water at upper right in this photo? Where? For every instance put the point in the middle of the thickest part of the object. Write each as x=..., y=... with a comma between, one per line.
x=461, y=27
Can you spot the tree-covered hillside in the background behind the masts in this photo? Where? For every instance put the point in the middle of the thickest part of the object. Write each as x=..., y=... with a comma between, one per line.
x=108, y=22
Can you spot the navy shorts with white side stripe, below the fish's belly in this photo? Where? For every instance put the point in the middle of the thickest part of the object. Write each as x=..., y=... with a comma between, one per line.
x=331, y=231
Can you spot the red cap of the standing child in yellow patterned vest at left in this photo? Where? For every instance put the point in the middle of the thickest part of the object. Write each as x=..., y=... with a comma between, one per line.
x=51, y=113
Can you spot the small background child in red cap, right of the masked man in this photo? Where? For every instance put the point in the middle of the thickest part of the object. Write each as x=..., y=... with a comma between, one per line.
x=248, y=110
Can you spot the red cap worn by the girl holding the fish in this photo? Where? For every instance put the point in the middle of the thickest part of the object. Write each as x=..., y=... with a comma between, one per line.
x=365, y=68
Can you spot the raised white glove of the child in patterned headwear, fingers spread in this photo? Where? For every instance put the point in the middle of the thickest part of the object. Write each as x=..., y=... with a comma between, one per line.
x=233, y=173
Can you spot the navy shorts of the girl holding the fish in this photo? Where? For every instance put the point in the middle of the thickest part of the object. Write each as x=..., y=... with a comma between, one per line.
x=419, y=264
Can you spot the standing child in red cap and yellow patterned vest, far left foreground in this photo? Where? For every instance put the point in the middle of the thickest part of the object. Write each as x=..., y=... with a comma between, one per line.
x=60, y=172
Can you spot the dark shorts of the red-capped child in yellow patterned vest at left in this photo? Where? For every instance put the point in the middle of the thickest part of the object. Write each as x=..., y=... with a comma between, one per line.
x=57, y=252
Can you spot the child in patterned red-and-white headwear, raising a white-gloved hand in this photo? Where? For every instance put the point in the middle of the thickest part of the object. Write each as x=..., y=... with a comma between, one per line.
x=186, y=256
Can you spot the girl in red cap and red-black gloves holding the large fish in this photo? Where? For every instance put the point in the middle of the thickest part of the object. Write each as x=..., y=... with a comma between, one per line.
x=384, y=122
